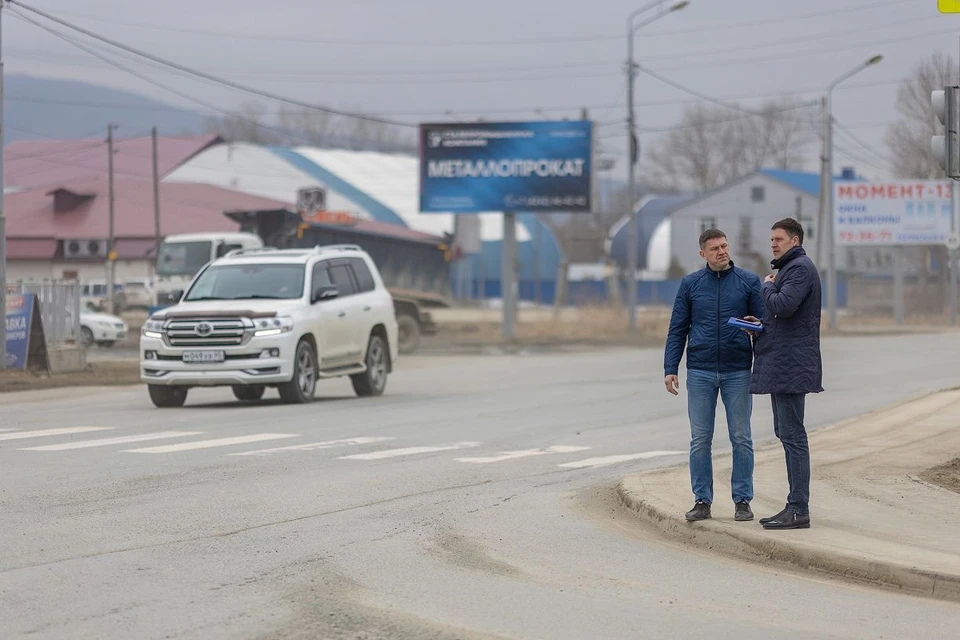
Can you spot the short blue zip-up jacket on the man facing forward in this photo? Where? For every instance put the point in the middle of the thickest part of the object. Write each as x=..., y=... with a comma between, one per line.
x=704, y=303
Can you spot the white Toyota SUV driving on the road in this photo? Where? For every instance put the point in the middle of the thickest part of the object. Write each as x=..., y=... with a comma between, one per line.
x=259, y=318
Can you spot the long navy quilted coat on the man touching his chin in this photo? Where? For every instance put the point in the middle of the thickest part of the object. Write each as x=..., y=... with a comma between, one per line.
x=787, y=351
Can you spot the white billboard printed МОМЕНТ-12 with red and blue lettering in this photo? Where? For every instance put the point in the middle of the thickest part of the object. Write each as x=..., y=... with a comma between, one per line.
x=914, y=212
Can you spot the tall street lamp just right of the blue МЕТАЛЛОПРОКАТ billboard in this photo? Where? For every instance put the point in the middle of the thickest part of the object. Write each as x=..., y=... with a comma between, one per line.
x=633, y=150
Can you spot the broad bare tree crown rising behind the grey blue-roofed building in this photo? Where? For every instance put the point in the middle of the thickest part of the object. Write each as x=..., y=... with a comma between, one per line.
x=714, y=145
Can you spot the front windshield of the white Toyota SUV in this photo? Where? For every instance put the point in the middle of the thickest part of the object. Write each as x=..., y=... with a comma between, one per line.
x=248, y=281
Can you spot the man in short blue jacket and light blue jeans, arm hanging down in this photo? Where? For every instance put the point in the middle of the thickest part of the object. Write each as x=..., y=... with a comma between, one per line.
x=719, y=359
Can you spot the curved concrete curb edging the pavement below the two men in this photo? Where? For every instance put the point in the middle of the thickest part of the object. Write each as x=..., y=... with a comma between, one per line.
x=752, y=545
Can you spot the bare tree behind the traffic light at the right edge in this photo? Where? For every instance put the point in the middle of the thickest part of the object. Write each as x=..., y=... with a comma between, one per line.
x=909, y=137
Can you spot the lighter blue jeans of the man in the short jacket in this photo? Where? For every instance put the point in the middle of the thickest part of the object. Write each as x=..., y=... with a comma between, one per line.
x=734, y=390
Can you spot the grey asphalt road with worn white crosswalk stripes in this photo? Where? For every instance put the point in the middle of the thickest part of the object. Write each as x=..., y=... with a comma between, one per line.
x=474, y=500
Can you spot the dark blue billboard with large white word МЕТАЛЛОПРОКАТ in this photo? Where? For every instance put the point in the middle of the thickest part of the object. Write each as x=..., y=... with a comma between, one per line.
x=506, y=166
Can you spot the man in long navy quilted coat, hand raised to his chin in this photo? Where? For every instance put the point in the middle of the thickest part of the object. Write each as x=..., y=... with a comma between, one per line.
x=787, y=363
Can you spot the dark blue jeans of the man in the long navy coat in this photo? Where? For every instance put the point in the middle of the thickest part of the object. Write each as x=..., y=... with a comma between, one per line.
x=788, y=411
